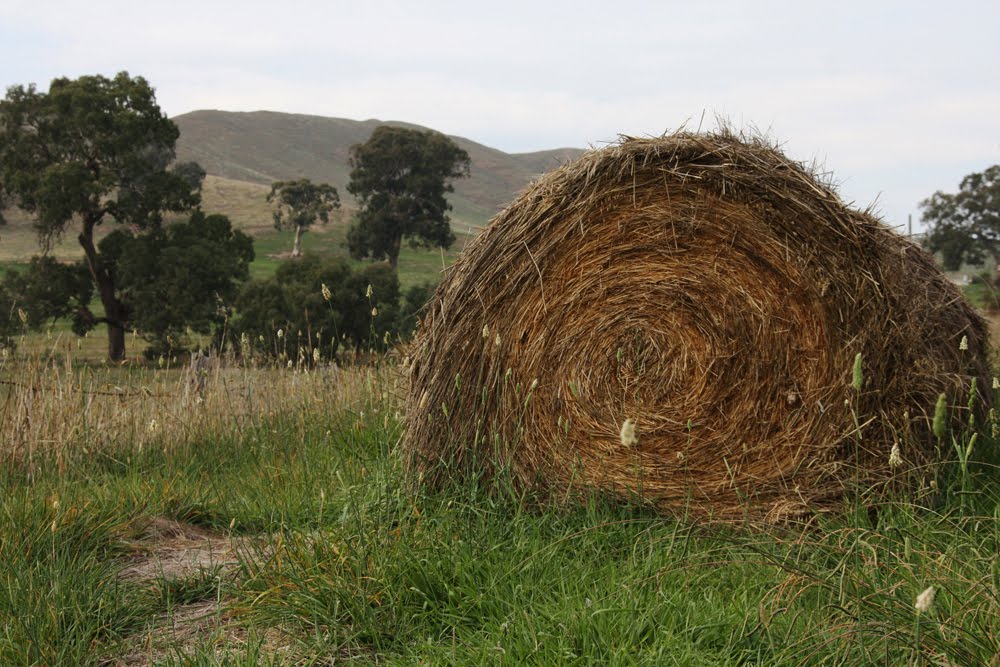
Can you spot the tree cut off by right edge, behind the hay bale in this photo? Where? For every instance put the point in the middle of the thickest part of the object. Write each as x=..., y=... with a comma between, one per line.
x=965, y=226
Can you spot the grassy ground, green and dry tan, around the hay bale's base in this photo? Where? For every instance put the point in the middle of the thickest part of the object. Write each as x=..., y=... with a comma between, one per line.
x=256, y=515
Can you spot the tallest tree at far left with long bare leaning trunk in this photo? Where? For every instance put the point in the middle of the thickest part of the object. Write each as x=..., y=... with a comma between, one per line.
x=89, y=150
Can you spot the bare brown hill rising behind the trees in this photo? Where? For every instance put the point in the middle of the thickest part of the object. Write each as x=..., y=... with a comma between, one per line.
x=264, y=146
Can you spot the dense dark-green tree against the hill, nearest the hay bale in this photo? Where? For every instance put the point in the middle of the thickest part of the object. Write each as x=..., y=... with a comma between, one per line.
x=400, y=178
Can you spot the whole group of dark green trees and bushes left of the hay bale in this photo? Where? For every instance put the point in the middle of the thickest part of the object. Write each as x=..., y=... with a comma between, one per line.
x=95, y=150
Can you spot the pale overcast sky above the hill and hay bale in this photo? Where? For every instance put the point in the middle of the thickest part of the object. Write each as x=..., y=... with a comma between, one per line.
x=896, y=99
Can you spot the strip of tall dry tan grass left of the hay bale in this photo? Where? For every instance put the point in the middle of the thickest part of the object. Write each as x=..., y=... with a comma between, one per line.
x=55, y=409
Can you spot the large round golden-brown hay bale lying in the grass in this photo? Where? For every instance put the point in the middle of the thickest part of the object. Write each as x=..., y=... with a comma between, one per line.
x=677, y=320
